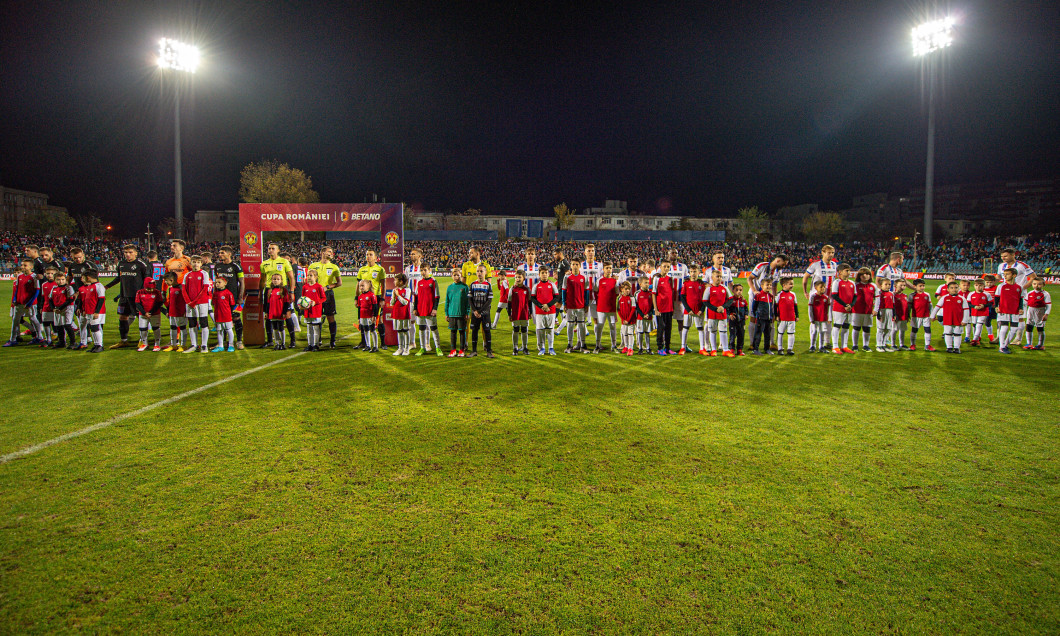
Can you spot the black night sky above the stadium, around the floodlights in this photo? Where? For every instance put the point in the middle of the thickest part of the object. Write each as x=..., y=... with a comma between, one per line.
x=696, y=108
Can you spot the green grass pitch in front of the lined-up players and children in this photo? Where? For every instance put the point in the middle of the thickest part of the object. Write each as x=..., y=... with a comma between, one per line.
x=344, y=492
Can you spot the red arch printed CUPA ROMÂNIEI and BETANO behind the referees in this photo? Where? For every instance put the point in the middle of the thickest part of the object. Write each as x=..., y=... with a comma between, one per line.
x=257, y=219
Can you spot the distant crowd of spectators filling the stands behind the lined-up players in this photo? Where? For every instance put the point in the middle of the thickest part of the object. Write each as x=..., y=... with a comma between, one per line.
x=969, y=254
